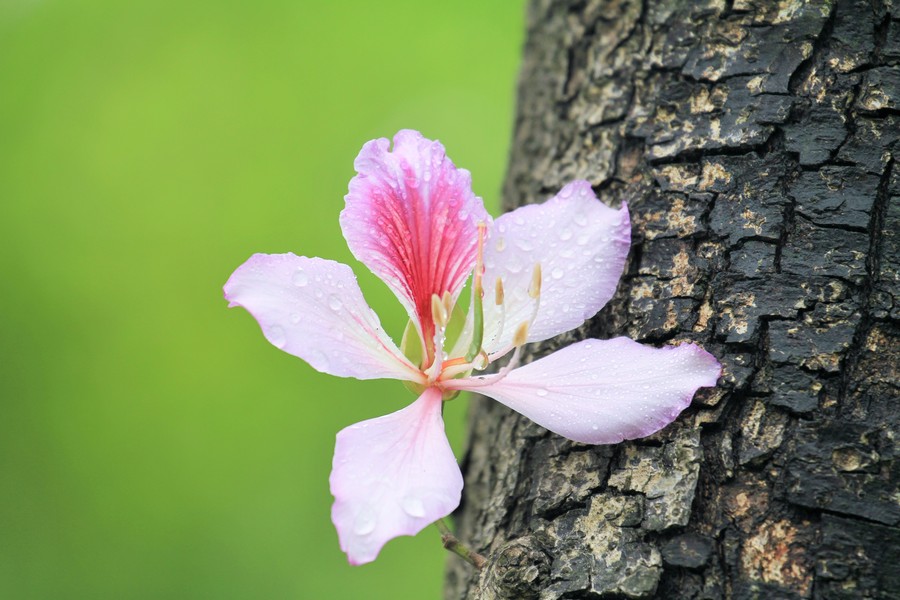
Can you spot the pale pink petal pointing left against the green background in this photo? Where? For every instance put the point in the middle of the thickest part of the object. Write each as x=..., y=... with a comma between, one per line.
x=313, y=308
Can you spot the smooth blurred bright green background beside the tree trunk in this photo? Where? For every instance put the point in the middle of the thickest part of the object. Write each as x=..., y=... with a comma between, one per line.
x=152, y=444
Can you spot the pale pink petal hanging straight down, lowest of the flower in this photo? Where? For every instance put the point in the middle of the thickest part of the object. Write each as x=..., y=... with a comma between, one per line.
x=392, y=476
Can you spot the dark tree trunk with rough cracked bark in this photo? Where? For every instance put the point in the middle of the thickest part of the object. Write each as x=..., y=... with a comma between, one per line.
x=754, y=141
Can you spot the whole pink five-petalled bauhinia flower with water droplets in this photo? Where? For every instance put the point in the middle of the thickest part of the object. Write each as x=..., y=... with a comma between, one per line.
x=411, y=217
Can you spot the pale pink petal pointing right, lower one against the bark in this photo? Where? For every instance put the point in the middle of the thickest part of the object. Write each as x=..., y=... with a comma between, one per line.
x=603, y=391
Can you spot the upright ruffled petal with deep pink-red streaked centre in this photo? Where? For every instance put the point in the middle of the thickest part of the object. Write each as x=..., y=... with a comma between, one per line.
x=411, y=217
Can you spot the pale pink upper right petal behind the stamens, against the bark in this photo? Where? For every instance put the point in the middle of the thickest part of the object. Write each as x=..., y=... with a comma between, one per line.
x=581, y=245
